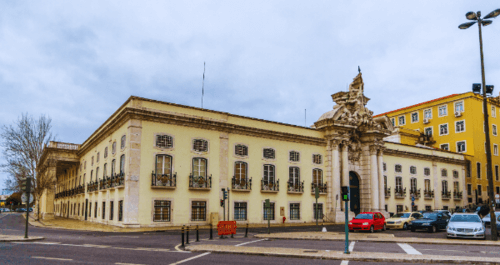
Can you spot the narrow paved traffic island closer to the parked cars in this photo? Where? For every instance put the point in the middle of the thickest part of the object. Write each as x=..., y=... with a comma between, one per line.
x=387, y=238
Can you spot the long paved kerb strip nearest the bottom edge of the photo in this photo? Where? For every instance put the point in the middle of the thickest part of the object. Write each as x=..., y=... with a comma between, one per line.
x=339, y=255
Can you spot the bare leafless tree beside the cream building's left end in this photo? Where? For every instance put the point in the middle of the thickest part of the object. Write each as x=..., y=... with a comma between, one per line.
x=23, y=144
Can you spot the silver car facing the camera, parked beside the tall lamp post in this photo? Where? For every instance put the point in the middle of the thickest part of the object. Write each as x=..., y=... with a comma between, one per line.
x=466, y=225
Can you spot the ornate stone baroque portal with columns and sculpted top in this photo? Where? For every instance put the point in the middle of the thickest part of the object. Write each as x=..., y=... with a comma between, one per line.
x=354, y=144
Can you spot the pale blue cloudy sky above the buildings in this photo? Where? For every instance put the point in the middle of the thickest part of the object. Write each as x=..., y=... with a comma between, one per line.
x=78, y=61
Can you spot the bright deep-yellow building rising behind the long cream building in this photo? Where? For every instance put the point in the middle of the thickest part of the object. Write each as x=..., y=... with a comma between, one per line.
x=456, y=123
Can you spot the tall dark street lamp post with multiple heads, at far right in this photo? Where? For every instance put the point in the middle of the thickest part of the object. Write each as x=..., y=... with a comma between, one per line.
x=484, y=22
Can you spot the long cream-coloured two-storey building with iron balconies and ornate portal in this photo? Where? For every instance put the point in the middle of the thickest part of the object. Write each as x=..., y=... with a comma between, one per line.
x=155, y=163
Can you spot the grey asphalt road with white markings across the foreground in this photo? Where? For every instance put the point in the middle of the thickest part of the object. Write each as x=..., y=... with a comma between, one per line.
x=68, y=246
